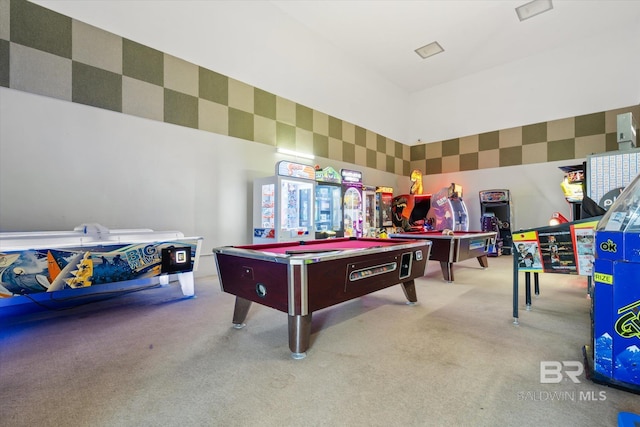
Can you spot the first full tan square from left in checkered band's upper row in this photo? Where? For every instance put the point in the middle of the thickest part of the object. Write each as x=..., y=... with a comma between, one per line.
x=96, y=47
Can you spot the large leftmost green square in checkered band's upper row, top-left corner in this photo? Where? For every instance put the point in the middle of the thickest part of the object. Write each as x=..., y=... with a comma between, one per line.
x=40, y=28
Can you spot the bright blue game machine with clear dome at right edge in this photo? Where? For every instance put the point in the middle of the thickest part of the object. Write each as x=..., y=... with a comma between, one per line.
x=614, y=354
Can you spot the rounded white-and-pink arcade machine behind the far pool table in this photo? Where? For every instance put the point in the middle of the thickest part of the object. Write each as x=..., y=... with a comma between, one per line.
x=448, y=211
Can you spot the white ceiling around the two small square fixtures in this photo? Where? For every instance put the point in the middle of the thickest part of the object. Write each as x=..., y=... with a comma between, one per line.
x=475, y=35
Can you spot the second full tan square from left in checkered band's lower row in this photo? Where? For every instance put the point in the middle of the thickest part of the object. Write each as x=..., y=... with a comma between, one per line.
x=142, y=99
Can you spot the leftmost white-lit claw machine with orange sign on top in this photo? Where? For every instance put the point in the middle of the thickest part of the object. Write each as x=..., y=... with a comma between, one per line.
x=283, y=204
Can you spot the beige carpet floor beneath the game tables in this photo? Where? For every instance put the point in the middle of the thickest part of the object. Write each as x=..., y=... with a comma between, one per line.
x=153, y=358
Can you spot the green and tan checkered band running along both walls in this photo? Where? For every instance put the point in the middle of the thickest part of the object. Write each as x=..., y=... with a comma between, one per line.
x=50, y=54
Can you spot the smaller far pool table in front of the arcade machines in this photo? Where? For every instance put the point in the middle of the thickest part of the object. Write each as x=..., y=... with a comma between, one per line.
x=456, y=247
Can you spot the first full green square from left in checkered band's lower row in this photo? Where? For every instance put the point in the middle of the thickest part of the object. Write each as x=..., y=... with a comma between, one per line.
x=96, y=87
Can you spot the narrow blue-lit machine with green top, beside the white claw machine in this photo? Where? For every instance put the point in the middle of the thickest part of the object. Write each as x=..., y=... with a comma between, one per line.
x=328, y=205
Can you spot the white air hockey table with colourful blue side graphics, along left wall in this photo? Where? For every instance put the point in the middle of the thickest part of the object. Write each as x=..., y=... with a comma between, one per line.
x=92, y=259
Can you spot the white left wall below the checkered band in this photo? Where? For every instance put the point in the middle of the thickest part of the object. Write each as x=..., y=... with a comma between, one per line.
x=63, y=164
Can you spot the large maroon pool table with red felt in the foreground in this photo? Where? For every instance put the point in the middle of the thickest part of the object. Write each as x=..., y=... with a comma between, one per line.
x=299, y=278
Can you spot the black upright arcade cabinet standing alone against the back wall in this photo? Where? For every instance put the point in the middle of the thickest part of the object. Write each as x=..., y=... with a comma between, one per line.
x=496, y=212
